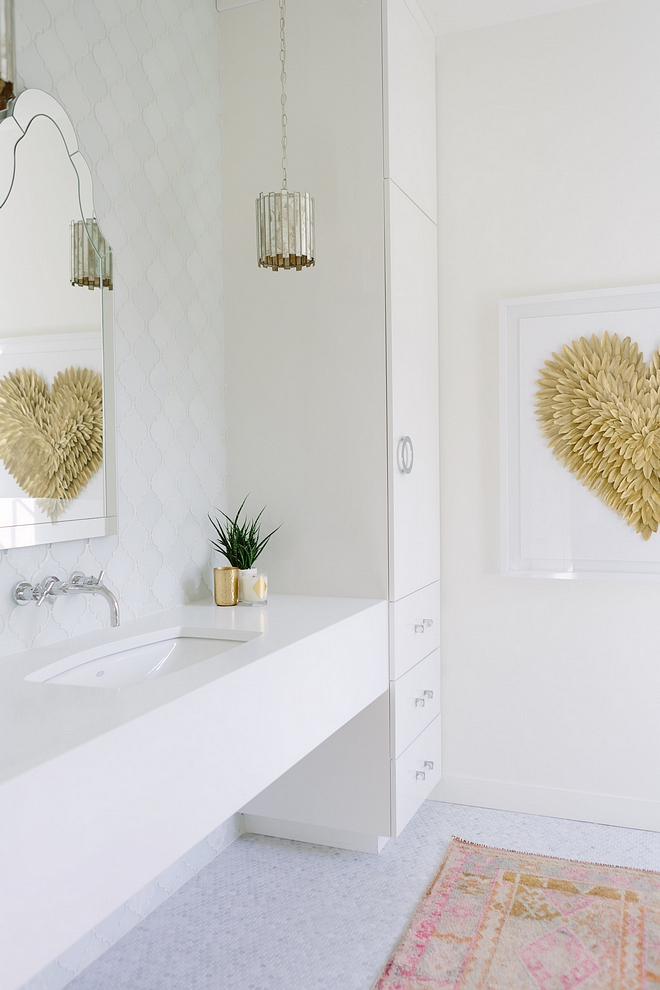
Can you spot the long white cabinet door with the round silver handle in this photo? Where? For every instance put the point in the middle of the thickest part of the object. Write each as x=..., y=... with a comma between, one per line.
x=413, y=396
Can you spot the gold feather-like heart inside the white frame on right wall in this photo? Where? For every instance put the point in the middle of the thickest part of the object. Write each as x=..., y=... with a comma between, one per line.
x=598, y=404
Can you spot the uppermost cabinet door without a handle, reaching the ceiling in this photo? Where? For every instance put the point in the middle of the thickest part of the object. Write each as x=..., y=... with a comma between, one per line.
x=410, y=117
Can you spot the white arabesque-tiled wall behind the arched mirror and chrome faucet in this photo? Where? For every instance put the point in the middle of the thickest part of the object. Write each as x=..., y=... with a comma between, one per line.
x=139, y=78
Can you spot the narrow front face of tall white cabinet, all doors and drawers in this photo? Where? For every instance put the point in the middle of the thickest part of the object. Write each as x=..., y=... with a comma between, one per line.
x=412, y=371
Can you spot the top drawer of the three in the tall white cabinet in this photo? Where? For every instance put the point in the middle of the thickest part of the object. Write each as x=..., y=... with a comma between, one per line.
x=414, y=628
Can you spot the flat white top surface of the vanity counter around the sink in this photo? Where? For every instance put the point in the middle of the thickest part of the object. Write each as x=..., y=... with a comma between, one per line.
x=40, y=721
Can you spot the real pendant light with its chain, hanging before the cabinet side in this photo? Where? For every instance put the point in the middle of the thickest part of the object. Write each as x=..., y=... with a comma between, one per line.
x=285, y=220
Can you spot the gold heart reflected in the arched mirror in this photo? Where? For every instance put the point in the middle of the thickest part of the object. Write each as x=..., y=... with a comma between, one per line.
x=51, y=441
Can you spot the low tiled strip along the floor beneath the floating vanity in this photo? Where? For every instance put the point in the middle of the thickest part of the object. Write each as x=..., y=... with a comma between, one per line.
x=87, y=950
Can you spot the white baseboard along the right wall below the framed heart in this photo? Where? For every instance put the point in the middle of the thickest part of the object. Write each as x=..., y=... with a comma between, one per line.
x=603, y=809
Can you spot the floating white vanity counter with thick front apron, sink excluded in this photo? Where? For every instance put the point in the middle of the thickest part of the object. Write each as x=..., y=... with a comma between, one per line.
x=103, y=788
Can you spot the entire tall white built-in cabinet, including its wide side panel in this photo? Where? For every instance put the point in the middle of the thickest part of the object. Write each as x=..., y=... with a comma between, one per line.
x=332, y=373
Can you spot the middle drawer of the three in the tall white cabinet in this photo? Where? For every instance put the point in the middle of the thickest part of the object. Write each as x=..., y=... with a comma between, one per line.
x=415, y=701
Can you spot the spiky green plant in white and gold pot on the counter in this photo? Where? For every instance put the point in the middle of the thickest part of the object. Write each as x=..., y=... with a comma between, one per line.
x=241, y=543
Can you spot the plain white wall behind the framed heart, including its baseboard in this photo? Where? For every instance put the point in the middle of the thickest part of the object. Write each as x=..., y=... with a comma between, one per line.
x=549, y=157
